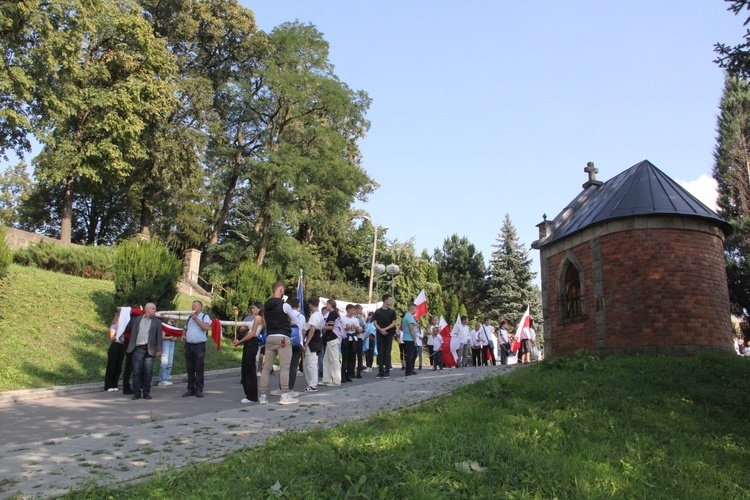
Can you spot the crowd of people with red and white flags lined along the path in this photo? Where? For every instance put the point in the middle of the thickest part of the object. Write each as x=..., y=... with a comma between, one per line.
x=328, y=348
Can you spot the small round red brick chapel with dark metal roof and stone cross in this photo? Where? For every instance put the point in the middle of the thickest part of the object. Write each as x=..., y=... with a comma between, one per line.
x=634, y=265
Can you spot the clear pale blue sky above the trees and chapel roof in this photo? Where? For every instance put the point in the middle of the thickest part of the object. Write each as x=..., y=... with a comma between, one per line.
x=482, y=108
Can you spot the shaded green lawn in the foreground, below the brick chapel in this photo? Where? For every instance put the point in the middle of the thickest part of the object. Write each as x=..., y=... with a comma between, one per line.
x=640, y=427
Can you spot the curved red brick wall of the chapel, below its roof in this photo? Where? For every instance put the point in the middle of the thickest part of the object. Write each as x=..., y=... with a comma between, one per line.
x=661, y=290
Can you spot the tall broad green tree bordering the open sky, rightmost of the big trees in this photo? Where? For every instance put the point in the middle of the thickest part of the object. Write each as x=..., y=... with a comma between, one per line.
x=300, y=163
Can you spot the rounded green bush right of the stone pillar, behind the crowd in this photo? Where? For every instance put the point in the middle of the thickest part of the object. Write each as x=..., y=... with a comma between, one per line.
x=248, y=283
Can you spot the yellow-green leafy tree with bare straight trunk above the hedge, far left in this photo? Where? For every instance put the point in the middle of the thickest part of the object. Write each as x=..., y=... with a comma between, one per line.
x=101, y=80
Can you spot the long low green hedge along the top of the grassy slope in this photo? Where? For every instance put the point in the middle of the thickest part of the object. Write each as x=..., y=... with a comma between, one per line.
x=86, y=262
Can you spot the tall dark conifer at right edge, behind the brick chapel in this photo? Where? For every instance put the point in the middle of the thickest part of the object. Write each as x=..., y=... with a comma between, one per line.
x=732, y=174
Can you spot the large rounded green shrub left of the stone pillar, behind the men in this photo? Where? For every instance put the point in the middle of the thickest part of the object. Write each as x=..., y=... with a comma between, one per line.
x=146, y=271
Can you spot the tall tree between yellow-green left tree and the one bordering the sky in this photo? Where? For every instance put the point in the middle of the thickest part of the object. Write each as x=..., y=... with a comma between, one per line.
x=214, y=44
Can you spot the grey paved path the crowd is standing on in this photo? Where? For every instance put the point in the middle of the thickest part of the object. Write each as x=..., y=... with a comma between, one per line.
x=62, y=438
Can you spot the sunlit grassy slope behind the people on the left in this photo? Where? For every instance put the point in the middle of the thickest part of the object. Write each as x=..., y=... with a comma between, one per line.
x=54, y=330
